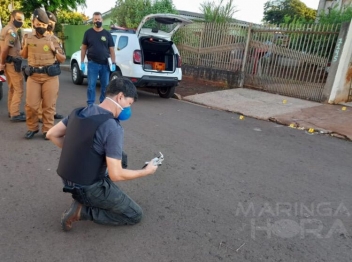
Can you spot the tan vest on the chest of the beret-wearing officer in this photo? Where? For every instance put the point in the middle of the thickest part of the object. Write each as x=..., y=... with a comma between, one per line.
x=39, y=51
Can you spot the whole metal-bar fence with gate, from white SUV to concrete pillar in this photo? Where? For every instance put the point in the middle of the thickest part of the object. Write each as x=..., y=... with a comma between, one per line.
x=292, y=60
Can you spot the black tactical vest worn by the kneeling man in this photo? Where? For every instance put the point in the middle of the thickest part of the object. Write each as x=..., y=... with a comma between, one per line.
x=79, y=162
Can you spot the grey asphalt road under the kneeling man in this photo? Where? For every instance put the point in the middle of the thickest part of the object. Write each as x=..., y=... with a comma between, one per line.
x=229, y=190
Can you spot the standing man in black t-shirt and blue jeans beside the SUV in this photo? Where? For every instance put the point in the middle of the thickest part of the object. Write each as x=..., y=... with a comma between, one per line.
x=98, y=44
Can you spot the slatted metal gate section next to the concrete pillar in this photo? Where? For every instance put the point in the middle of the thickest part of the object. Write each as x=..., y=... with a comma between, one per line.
x=290, y=61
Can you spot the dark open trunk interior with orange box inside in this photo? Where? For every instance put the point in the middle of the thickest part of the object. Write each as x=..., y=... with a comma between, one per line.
x=158, y=54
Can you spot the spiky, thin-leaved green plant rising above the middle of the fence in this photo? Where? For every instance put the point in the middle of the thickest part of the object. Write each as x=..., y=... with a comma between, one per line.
x=218, y=11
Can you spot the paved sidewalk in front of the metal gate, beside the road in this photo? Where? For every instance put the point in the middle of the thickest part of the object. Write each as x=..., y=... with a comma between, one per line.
x=335, y=120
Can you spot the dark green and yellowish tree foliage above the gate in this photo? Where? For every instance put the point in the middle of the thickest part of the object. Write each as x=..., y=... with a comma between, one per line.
x=286, y=11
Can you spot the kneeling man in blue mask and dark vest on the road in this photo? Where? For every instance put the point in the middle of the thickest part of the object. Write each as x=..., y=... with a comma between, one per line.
x=91, y=139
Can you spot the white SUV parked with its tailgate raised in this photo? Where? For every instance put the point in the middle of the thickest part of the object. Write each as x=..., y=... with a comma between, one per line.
x=147, y=55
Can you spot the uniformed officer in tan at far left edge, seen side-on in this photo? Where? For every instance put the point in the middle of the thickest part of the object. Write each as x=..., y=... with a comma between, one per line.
x=11, y=63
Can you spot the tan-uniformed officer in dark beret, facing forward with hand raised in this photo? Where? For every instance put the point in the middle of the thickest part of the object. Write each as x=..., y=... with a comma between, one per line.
x=43, y=52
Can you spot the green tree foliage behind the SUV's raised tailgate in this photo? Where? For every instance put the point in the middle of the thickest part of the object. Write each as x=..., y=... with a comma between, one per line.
x=129, y=13
